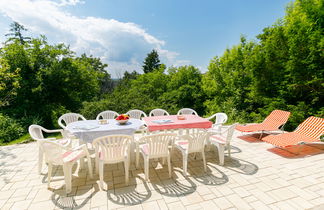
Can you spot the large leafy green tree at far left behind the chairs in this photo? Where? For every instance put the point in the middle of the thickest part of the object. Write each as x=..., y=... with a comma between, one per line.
x=43, y=81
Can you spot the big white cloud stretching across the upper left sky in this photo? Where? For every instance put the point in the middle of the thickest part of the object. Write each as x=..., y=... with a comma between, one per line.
x=122, y=45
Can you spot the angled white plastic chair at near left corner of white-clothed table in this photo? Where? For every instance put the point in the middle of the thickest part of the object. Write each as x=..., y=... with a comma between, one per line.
x=56, y=154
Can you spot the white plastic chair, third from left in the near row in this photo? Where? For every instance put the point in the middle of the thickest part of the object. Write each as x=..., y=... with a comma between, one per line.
x=154, y=146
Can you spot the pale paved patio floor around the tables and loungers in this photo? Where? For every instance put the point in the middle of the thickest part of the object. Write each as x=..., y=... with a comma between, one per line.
x=257, y=176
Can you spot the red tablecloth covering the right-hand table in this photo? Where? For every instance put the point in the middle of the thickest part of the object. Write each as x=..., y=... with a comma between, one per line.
x=191, y=121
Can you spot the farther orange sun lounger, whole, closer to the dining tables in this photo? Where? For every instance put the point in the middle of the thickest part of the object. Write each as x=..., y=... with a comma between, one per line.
x=275, y=121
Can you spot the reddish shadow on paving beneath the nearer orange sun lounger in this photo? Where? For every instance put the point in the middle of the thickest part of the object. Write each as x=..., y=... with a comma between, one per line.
x=298, y=151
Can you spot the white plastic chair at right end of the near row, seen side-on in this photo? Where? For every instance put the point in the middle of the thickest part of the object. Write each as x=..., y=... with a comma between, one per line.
x=223, y=143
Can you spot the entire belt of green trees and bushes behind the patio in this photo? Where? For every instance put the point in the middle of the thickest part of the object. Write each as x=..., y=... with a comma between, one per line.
x=282, y=69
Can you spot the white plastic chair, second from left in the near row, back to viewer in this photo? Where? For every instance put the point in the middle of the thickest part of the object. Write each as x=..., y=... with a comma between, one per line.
x=112, y=149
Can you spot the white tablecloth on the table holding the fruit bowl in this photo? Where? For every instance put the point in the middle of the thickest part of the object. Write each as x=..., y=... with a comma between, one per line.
x=88, y=130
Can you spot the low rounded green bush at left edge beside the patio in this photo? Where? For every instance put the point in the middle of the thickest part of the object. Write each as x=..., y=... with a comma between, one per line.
x=10, y=129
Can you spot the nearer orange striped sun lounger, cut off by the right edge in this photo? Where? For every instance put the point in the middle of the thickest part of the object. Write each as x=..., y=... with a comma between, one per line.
x=309, y=131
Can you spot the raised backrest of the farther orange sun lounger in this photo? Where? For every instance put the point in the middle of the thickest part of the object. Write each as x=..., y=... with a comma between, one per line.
x=276, y=118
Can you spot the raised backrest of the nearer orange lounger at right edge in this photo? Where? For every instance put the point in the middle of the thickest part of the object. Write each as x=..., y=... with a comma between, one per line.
x=311, y=127
